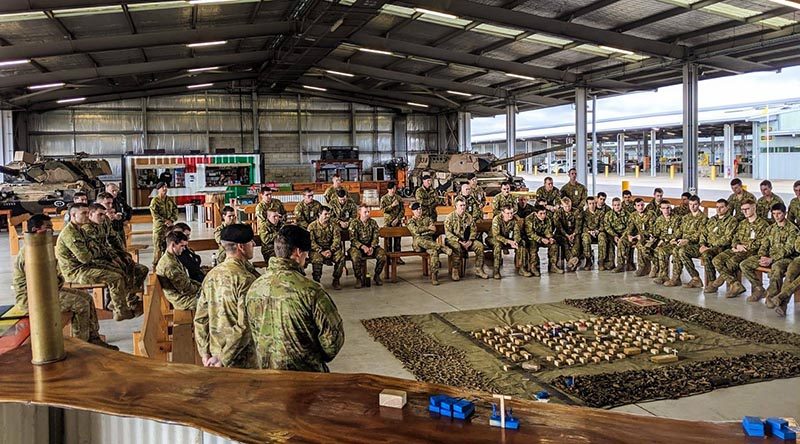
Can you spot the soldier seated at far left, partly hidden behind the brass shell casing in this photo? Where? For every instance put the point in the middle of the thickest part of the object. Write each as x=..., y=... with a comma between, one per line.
x=84, y=323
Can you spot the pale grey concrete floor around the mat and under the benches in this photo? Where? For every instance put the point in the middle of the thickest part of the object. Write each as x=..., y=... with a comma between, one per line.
x=414, y=295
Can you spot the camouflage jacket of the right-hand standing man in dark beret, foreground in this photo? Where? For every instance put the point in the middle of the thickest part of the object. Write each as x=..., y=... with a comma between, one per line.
x=294, y=323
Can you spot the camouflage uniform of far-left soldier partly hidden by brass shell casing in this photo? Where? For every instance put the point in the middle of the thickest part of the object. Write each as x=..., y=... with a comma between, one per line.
x=78, y=302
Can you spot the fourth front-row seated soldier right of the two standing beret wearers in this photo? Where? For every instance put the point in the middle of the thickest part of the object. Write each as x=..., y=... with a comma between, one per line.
x=461, y=234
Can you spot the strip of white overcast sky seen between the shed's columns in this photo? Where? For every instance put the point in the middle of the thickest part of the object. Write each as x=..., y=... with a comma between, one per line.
x=746, y=88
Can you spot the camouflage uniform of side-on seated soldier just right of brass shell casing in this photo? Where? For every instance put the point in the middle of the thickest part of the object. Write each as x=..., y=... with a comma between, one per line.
x=76, y=262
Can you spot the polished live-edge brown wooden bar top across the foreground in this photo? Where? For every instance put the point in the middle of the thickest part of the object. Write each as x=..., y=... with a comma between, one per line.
x=265, y=406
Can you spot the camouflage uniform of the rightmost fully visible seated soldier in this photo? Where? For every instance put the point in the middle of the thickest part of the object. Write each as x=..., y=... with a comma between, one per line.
x=778, y=245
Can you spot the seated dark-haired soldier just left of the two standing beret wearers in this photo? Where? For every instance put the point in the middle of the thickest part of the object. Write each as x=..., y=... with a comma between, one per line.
x=179, y=289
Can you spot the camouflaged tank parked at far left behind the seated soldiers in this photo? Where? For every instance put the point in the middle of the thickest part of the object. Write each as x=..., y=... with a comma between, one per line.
x=32, y=184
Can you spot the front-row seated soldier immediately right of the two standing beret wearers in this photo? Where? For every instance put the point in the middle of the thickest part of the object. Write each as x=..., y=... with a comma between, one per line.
x=326, y=247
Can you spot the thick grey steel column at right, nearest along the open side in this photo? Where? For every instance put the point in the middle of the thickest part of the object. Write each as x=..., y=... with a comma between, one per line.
x=690, y=128
